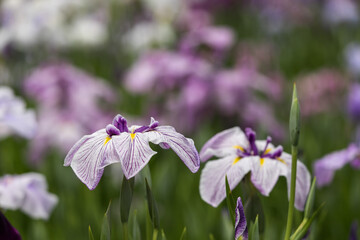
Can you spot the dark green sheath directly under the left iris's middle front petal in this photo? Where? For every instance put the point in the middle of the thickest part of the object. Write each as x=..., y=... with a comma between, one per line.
x=127, y=189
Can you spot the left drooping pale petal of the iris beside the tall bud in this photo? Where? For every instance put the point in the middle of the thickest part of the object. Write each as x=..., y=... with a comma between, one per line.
x=212, y=179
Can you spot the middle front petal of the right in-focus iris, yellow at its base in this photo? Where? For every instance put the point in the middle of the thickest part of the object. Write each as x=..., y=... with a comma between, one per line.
x=265, y=172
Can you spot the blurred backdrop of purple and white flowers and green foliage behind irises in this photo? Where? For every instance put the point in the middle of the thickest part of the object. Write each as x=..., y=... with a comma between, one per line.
x=199, y=65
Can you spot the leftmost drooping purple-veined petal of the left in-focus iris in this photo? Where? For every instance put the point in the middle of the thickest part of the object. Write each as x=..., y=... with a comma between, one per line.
x=90, y=155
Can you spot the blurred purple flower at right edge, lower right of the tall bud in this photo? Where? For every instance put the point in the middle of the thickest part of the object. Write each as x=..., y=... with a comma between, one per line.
x=326, y=166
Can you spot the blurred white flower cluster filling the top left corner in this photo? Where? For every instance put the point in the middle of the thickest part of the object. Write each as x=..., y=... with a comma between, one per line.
x=58, y=23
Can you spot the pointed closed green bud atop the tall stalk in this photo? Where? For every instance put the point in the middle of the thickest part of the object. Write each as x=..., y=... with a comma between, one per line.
x=294, y=122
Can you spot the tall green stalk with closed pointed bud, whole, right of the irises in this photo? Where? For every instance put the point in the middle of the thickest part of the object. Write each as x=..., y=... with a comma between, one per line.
x=294, y=127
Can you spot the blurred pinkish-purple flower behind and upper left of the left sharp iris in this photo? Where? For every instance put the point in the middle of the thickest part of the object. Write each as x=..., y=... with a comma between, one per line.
x=68, y=98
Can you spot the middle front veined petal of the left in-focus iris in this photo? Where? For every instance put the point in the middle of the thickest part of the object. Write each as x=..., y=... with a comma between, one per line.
x=134, y=152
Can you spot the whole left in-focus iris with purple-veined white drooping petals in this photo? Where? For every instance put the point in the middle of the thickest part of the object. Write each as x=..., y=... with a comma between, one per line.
x=127, y=145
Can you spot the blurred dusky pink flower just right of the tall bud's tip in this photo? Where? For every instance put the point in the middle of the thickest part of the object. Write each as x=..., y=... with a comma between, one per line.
x=320, y=91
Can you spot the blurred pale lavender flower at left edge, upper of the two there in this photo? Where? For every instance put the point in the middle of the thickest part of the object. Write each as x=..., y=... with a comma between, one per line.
x=14, y=117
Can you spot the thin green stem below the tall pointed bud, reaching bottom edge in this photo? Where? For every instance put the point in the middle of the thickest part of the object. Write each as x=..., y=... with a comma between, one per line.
x=294, y=152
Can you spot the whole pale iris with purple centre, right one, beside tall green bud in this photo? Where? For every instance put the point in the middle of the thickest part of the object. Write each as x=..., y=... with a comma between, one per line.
x=239, y=154
